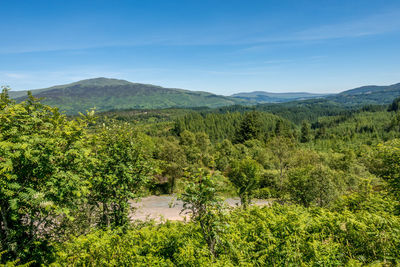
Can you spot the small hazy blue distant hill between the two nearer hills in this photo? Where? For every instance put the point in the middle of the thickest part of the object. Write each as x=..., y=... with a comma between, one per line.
x=267, y=97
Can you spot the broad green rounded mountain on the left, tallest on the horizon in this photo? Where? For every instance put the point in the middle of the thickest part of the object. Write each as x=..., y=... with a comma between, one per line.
x=112, y=94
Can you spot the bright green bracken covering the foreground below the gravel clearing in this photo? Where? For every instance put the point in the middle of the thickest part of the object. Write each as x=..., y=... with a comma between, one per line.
x=266, y=236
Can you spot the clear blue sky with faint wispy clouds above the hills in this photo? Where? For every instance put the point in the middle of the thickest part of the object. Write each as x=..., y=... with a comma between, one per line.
x=221, y=46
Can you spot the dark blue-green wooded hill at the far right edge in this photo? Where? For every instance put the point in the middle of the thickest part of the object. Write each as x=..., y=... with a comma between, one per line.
x=367, y=95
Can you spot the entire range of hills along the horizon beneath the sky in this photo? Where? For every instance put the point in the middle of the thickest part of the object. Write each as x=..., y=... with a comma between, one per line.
x=111, y=94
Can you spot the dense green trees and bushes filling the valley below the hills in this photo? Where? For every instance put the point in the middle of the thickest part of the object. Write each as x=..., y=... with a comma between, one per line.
x=332, y=181
